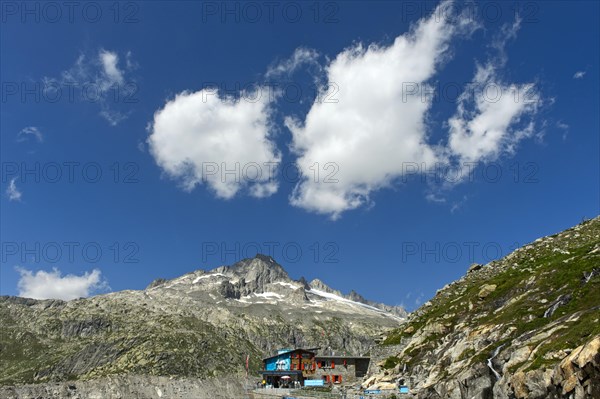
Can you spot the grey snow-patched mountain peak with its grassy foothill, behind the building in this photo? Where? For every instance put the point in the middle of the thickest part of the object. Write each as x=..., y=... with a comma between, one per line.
x=180, y=337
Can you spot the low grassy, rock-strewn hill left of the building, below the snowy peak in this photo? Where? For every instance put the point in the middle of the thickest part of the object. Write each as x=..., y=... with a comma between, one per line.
x=135, y=342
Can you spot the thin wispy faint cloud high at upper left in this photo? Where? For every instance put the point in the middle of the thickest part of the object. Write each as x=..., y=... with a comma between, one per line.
x=102, y=79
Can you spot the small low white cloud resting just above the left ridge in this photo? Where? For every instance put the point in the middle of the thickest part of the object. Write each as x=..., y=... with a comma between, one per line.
x=52, y=285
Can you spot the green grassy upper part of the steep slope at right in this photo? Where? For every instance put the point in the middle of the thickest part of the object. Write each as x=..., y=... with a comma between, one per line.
x=528, y=282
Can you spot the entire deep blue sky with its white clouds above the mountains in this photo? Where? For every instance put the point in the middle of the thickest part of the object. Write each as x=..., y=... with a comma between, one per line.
x=114, y=119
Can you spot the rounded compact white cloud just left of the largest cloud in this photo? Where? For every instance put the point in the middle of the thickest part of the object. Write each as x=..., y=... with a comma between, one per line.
x=198, y=137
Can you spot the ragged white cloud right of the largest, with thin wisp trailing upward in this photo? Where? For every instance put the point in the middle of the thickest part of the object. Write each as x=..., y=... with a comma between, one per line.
x=493, y=116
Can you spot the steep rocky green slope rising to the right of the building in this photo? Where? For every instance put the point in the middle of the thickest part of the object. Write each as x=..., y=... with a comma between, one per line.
x=525, y=326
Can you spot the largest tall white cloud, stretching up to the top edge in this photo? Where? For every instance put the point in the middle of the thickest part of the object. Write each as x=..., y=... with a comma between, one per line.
x=378, y=124
